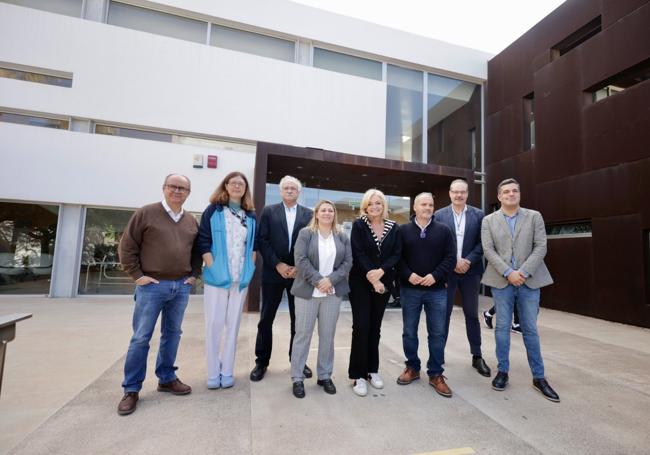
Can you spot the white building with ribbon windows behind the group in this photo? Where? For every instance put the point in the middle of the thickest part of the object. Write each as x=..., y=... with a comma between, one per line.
x=100, y=100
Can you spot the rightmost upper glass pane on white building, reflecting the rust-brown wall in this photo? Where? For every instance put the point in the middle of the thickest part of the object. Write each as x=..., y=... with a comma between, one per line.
x=453, y=119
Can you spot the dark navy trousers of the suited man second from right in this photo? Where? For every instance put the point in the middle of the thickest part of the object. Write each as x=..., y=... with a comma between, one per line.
x=468, y=285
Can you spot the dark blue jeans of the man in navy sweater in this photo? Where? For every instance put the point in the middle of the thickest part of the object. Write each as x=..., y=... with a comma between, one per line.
x=435, y=309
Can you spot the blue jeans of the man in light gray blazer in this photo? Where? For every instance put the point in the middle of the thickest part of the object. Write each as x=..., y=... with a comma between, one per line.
x=527, y=300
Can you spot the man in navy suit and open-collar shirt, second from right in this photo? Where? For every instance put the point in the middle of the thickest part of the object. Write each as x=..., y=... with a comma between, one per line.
x=465, y=223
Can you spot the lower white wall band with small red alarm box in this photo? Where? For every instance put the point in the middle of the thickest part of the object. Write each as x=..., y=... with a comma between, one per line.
x=54, y=166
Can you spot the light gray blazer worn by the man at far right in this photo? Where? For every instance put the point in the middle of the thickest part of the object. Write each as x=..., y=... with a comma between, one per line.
x=528, y=246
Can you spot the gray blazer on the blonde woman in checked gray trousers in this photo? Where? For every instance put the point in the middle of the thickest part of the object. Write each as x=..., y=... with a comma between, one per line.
x=306, y=260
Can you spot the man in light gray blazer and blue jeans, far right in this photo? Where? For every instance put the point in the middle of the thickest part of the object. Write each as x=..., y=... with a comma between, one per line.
x=514, y=244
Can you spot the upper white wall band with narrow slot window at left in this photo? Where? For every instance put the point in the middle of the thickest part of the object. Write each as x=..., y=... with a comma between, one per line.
x=131, y=77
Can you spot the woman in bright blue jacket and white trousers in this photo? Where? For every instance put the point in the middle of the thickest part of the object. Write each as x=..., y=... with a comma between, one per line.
x=226, y=241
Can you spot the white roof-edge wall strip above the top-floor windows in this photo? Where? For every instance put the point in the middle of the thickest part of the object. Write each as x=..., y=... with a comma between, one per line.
x=326, y=27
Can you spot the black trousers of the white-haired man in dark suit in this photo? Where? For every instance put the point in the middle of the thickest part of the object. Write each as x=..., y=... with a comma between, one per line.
x=271, y=298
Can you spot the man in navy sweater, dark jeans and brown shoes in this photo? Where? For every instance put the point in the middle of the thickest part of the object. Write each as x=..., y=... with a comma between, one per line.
x=428, y=256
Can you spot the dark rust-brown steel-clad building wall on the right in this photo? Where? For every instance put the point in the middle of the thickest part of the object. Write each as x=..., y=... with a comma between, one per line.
x=591, y=160
